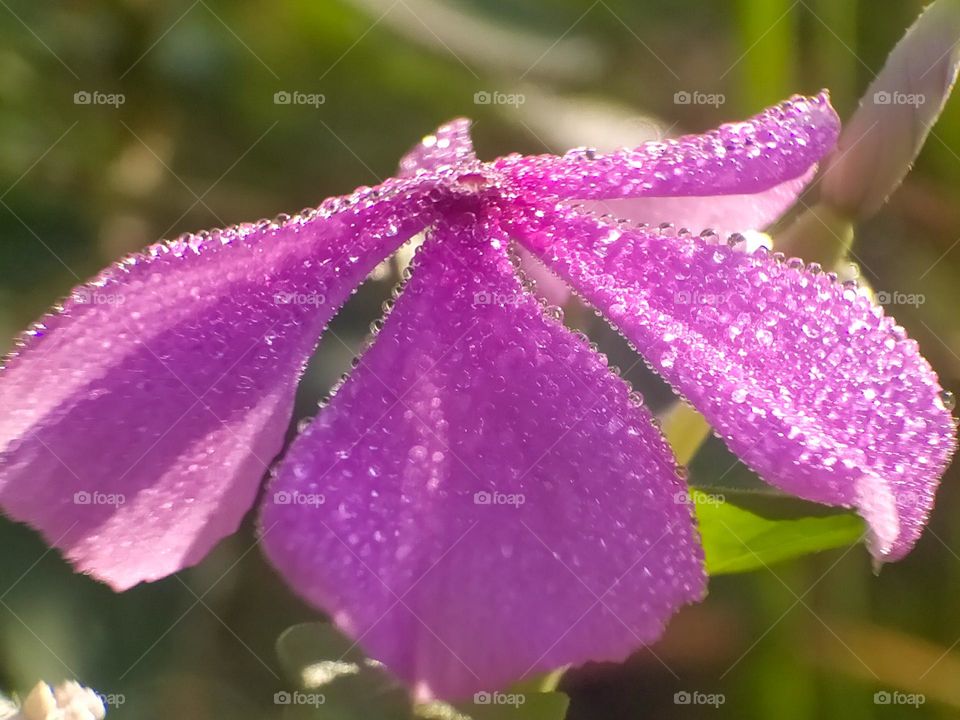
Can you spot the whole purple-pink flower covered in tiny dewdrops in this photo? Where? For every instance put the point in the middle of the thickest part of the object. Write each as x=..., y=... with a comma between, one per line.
x=482, y=498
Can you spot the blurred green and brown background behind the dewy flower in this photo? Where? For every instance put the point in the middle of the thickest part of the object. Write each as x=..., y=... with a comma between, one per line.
x=199, y=142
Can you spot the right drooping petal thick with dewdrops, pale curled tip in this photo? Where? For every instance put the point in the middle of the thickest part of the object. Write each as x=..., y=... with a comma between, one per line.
x=808, y=382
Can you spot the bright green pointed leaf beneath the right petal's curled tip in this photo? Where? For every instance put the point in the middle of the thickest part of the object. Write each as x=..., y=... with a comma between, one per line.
x=736, y=540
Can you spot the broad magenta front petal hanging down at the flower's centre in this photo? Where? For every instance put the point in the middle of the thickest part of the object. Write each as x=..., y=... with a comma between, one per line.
x=481, y=500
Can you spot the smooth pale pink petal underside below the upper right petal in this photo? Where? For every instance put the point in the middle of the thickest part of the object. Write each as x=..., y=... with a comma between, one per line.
x=722, y=213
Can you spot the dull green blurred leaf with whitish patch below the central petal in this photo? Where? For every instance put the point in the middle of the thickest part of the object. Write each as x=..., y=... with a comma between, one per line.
x=337, y=681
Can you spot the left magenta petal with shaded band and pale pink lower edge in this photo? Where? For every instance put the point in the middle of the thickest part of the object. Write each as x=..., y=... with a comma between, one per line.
x=141, y=418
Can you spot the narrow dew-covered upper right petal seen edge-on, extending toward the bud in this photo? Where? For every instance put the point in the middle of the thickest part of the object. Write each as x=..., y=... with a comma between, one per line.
x=780, y=144
